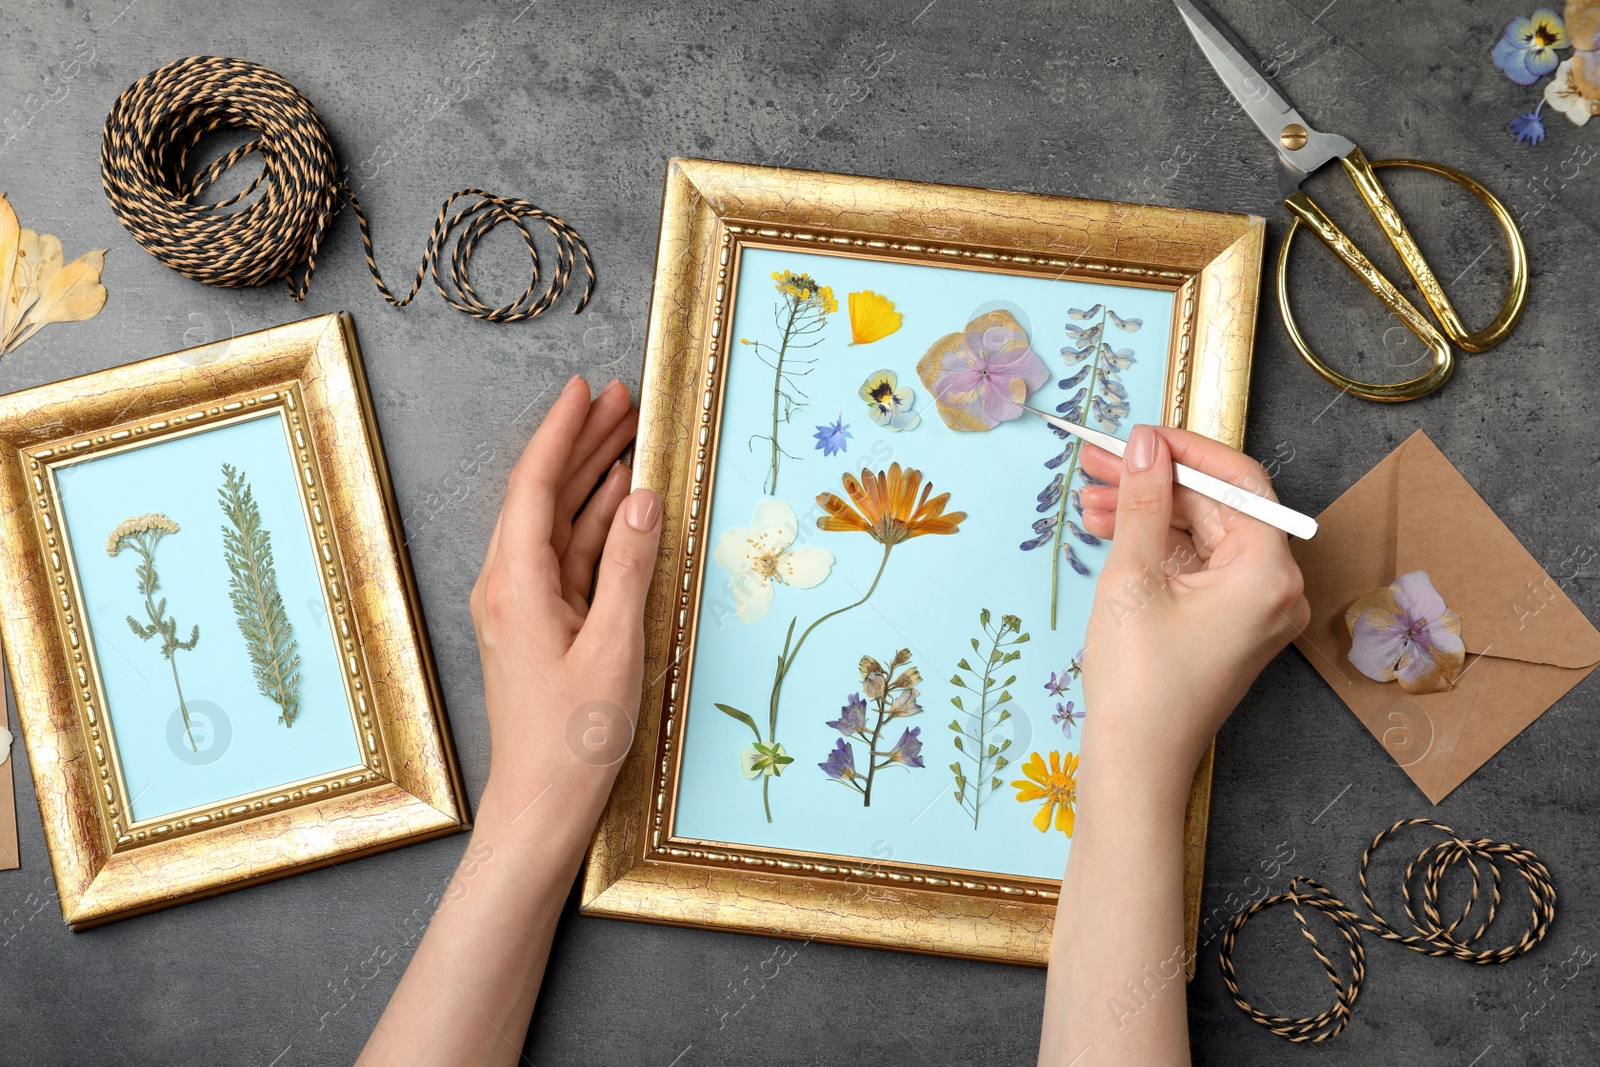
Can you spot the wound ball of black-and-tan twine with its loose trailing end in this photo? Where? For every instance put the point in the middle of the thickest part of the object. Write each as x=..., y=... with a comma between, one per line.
x=145, y=170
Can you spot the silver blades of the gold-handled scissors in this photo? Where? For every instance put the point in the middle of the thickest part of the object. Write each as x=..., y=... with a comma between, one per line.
x=1260, y=98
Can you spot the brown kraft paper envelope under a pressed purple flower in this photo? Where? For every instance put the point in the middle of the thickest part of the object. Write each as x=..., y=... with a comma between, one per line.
x=1527, y=644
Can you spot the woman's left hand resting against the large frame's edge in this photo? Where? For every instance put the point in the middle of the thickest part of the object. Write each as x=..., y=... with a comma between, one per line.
x=562, y=677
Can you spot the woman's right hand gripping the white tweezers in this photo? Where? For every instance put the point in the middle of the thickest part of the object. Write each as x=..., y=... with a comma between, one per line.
x=1193, y=602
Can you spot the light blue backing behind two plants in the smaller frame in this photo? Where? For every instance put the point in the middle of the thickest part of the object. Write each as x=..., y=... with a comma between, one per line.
x=182, y=479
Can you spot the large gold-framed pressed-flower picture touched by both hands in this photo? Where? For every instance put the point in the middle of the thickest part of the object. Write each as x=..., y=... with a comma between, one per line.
x=801, y=845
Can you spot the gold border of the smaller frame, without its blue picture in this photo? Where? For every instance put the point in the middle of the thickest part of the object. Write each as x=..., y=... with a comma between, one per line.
x=406, y=785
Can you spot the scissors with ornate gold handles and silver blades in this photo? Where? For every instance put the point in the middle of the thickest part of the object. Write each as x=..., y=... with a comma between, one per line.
x=1303, y=151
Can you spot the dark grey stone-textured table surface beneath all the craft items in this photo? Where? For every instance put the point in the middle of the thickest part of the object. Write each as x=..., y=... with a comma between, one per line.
x=578, y=106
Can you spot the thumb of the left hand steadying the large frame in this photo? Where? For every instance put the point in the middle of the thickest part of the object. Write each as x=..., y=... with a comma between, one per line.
x=615, y=629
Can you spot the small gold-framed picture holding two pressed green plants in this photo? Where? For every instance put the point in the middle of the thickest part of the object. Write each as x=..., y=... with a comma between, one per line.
x=212, y=626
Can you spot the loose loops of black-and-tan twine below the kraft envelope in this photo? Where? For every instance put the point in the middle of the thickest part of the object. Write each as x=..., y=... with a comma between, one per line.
x=1431, y=938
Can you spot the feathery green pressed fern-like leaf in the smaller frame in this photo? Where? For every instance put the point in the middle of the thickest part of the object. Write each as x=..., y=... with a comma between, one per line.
x=254, y=588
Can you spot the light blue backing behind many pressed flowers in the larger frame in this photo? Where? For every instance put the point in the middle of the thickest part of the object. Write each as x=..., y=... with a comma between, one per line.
x=932, y=591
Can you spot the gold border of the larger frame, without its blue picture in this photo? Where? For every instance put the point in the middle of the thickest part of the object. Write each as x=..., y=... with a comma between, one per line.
x=638, y=869
